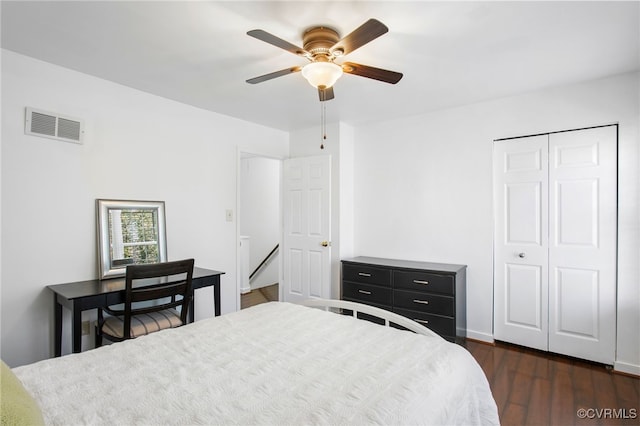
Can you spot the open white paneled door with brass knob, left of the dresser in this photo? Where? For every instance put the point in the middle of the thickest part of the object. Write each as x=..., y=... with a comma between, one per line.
x=307, y=228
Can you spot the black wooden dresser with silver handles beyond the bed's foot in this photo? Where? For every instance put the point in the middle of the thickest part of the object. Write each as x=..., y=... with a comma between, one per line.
x=433, y=294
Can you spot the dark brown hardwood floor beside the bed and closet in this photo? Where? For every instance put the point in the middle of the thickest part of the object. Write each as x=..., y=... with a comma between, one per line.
x=536, y=388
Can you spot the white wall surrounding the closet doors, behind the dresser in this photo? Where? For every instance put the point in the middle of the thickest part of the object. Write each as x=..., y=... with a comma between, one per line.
x=423, y=188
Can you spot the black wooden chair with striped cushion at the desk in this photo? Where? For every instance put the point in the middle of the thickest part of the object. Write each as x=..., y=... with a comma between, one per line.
x=151, y=302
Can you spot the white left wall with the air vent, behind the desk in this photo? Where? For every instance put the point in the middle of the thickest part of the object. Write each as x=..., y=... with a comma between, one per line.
x=137, y=146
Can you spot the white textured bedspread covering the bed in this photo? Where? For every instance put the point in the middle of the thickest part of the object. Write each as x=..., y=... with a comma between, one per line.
x=276, y=364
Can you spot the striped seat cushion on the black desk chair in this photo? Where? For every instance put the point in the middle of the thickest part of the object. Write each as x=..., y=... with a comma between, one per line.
x=142, y=324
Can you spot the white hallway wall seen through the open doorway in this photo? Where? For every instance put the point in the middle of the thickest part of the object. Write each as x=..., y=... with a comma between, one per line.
x=260, y=215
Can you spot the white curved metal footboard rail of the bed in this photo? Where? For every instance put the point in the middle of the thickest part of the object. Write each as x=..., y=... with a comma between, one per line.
x=388, y=316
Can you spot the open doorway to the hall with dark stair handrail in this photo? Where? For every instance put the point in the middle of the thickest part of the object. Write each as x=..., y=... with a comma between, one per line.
x=259, y=228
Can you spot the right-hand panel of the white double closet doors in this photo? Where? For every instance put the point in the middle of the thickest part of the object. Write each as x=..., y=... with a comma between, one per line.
x=582, y=244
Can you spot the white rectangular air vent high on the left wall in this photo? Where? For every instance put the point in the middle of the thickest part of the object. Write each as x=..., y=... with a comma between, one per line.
x=54, y=126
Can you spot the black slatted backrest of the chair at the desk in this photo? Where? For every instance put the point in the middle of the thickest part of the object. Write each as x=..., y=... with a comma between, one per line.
x=158, y=282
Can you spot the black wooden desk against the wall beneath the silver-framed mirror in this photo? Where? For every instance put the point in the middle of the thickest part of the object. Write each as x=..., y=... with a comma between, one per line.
x=84, y=295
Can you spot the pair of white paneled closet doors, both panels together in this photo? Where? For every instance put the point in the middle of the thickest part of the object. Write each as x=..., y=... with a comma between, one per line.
x=555, y=242
